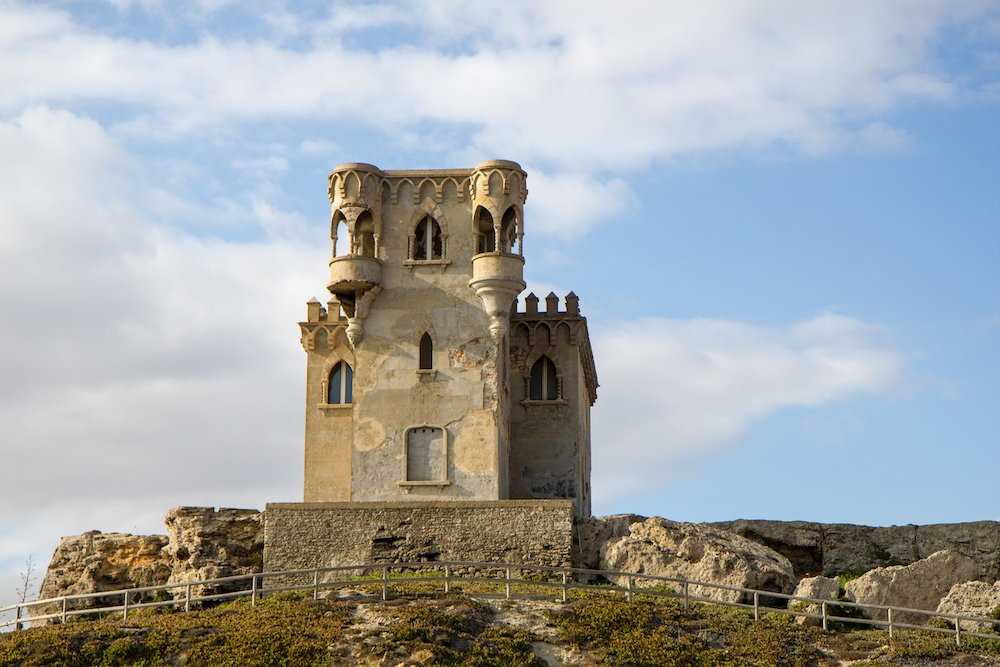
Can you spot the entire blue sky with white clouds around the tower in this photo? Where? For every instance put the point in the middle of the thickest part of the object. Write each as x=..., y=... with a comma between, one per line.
x=782, y=219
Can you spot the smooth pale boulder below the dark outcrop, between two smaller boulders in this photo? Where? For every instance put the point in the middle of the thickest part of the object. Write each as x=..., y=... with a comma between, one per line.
x=920, y=585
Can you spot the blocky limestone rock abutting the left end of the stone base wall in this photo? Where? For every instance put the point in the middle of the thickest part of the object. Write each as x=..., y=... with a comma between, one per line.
x=208, y=543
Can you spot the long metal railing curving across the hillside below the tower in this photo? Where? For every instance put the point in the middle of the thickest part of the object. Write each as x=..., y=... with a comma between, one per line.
x=447, y=572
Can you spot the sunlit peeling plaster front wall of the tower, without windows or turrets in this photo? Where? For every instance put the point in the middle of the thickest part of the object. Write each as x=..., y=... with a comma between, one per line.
x=359, y=453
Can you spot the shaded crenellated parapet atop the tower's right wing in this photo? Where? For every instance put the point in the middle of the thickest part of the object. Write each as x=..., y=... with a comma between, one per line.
x=547, y=328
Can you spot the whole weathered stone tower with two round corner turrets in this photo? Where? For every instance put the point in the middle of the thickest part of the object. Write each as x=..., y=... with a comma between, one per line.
x=421, y=383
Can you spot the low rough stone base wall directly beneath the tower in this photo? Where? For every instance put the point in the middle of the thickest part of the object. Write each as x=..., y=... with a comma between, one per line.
x=305, y=535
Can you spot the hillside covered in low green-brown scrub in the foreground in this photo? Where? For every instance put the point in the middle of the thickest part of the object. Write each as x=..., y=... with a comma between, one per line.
x=459, y=630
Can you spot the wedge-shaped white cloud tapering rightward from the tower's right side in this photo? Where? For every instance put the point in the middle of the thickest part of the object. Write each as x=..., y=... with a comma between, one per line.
x=675, y=388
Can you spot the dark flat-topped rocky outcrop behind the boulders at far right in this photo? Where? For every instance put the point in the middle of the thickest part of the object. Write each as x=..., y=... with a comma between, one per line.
x=834, y=549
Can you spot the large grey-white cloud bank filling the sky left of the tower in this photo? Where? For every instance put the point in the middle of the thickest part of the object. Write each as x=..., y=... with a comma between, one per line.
x=141, y=367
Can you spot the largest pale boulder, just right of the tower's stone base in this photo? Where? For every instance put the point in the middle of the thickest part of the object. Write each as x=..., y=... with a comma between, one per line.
x=698, y=553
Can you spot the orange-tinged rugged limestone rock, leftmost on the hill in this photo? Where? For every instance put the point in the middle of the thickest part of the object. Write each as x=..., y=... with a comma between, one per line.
x=96, y=561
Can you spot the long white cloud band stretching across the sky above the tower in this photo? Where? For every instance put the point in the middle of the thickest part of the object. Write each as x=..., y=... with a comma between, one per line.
x=585, y=89
